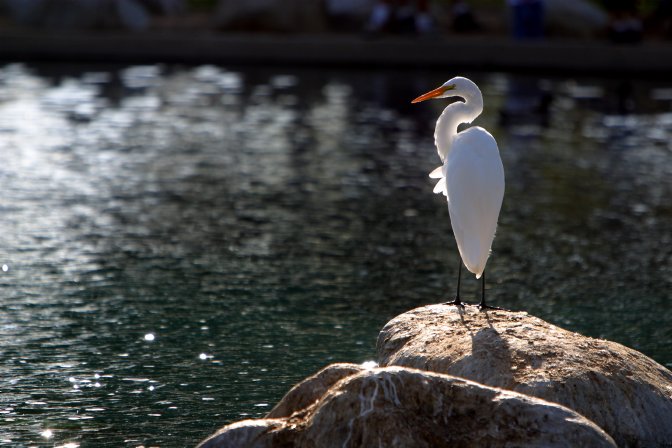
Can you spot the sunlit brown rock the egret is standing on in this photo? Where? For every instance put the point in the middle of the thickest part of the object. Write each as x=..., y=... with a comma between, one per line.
x=624, y=392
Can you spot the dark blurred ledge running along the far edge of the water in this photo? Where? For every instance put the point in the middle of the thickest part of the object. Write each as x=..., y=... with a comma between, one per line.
x=478, y=52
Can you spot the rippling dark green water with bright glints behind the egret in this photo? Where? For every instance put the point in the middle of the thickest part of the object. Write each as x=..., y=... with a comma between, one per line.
x=180, y=245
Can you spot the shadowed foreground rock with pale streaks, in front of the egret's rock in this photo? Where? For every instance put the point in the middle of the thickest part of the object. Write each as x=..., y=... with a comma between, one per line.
x=401, y=407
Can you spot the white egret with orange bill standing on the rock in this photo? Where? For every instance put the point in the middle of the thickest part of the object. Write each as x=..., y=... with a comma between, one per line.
x=471, y=178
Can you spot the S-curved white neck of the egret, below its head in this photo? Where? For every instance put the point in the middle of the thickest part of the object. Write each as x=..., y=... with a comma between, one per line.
x=451, y=118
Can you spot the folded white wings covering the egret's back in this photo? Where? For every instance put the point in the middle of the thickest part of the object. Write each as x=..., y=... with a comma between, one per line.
x=475, y=186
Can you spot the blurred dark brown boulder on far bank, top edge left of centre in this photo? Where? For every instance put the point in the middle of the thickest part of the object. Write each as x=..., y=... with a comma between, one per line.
x=272, y=15
